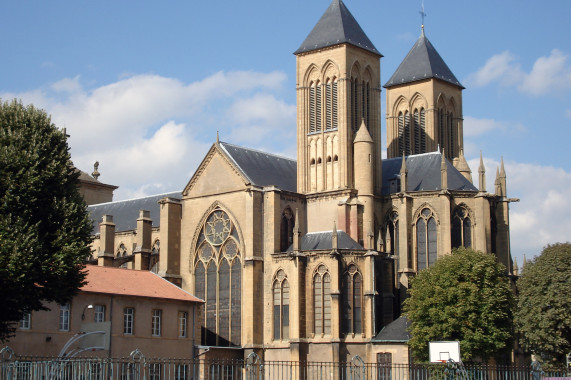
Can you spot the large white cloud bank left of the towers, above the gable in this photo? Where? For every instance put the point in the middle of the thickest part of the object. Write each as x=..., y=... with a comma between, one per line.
x=149, y=132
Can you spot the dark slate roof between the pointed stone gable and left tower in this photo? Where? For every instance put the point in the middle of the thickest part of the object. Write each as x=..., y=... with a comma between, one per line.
x=263, y=169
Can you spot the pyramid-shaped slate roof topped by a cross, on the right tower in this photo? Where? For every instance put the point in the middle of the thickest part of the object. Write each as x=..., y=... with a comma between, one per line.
x=422, y=62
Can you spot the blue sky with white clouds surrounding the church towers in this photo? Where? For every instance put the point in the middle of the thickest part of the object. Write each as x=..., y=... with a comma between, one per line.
x=144, y=86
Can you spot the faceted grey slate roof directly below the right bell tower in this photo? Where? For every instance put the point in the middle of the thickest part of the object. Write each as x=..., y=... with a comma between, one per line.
x=423, y=174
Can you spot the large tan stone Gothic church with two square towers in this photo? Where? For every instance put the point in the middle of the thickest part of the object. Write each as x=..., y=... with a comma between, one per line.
x=310, y=259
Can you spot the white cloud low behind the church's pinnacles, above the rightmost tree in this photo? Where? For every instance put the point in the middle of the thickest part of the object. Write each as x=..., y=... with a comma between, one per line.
x=541, y=215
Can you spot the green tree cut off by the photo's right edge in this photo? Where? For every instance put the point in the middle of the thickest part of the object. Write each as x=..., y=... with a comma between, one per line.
x=543, y=316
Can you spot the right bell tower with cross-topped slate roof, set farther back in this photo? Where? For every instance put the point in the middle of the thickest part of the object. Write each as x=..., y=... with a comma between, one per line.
x=424, y=105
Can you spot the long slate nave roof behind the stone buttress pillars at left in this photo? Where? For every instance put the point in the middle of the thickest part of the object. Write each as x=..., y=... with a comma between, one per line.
x=125, y=213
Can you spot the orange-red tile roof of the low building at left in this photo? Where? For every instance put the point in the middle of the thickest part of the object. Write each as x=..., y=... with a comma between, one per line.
x=136, y=283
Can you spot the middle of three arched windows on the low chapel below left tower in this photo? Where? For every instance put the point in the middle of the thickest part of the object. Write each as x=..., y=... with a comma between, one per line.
x=322, y=301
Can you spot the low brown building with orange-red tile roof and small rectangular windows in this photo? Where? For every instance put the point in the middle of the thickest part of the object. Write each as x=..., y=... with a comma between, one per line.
x=116, y=312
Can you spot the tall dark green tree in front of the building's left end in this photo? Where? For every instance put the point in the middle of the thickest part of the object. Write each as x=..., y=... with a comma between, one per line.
x=44, y=226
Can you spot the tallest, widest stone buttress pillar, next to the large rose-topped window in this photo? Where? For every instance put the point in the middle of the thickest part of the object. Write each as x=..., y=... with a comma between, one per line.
x=169, y=236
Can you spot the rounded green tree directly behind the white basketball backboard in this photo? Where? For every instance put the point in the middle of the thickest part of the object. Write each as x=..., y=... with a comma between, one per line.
x=465, y=297
